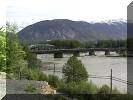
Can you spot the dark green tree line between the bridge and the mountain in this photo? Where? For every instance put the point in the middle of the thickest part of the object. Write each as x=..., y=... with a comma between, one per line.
x=70, y=44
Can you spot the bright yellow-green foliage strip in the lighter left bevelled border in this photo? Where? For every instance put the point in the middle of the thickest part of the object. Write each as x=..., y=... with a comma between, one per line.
x=2, y=50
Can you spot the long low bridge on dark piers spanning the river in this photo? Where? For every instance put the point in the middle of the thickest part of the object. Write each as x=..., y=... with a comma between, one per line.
x=58, y=53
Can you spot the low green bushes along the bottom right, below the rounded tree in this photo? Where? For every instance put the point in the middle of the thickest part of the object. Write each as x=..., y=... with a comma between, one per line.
x=88, y=91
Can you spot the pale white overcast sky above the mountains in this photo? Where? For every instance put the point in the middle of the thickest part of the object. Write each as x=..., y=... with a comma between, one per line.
x=25, y=12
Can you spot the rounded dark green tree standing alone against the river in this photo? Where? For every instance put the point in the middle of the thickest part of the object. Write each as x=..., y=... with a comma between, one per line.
x=74, y=70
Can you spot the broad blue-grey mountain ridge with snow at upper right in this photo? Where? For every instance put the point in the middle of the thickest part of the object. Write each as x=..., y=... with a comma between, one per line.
x=68, y=29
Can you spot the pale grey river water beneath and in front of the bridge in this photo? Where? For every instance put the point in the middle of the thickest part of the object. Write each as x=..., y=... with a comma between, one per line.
x=95, y=65
